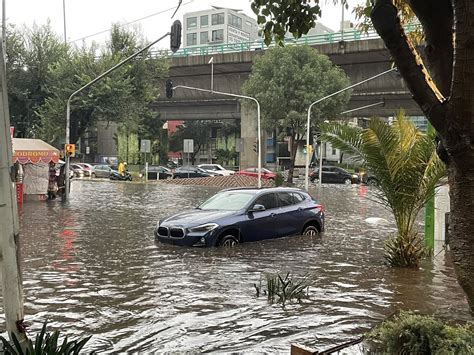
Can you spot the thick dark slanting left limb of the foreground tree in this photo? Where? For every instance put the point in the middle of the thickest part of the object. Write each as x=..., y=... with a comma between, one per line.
x=409, y=63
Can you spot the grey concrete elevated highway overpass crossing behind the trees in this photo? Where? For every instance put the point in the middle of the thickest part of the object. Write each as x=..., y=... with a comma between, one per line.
x=360, y=59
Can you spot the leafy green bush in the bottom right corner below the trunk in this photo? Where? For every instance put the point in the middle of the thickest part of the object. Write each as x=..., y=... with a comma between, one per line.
x=409, y=333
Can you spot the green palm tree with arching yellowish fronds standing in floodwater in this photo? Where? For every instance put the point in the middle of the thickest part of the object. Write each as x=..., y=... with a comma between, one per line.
x=407, y=168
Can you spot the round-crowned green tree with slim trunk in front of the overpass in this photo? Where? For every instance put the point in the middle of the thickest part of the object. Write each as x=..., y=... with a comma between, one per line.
x=285, y=81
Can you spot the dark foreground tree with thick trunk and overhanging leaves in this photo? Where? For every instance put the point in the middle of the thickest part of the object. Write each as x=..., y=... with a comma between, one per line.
x=442, y=88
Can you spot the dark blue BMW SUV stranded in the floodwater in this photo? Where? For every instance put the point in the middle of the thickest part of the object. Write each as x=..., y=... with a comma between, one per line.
x=239, y=215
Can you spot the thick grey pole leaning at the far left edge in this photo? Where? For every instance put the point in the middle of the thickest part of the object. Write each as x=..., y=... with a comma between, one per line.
x=9, y=226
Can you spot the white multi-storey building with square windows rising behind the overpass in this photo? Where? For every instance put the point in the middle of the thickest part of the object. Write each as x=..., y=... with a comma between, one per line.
x=216, y=26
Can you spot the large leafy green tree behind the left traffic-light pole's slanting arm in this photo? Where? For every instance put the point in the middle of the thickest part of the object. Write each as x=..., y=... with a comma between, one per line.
x=122, y=97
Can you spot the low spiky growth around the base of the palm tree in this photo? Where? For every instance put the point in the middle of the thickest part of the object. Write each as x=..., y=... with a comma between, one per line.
x=405, y=251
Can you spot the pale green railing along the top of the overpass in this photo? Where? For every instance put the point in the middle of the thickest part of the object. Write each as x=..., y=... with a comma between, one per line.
x=221, y=48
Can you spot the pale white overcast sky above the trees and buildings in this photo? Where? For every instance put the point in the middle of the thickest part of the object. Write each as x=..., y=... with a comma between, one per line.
x=84, y=18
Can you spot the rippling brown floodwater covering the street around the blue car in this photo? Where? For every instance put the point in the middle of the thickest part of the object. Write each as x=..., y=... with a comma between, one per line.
x=92, y=267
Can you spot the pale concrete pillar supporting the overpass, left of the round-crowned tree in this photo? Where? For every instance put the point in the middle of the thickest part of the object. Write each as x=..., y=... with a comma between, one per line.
x=248, y=134
